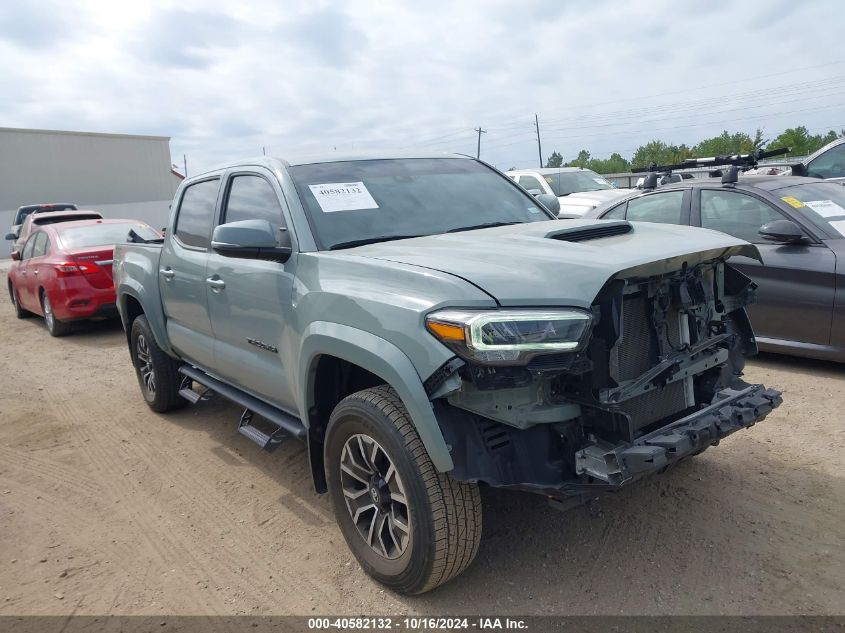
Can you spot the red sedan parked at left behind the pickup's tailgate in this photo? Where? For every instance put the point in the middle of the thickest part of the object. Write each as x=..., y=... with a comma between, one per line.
x=63, y=272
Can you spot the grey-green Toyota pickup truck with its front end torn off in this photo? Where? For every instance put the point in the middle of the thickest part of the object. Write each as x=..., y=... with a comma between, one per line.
x=426, y=326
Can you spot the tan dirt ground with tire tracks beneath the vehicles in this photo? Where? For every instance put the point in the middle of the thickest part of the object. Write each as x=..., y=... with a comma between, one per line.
x=108, y=508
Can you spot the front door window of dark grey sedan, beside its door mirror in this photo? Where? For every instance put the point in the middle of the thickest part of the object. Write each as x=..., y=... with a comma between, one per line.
x=736, y=214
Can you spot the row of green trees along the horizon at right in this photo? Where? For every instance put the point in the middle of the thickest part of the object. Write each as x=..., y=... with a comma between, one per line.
x=798, y=139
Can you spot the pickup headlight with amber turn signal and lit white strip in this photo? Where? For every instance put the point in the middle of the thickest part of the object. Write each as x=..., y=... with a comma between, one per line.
x=510, y=337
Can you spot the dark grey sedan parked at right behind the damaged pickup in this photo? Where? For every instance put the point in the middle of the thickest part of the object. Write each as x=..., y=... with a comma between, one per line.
x=798, y=225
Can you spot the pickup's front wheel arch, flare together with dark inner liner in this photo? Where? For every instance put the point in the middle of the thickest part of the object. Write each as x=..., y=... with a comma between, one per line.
x=337, y=360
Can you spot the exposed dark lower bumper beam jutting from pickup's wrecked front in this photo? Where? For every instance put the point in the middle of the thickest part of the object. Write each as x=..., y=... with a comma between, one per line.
x=614, y=466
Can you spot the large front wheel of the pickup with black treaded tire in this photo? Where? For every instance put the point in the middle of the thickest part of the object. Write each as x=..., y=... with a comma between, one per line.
x=443, y=515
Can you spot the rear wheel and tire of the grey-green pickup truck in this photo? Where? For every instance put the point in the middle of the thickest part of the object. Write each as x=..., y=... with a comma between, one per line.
x=158, y=374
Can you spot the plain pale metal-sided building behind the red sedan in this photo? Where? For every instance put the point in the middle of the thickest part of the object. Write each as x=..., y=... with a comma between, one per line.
x=120, y=175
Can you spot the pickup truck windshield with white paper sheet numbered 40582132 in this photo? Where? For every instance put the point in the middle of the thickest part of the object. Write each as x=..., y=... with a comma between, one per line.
x=354, y=202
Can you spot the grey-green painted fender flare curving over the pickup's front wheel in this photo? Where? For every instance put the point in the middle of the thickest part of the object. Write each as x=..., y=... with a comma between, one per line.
x=381, y=358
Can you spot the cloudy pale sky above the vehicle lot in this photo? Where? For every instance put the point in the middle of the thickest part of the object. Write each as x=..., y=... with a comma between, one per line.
x=228, y=80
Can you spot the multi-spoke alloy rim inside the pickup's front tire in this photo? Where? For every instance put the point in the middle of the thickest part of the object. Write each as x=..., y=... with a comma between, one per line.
x=375, y=496
